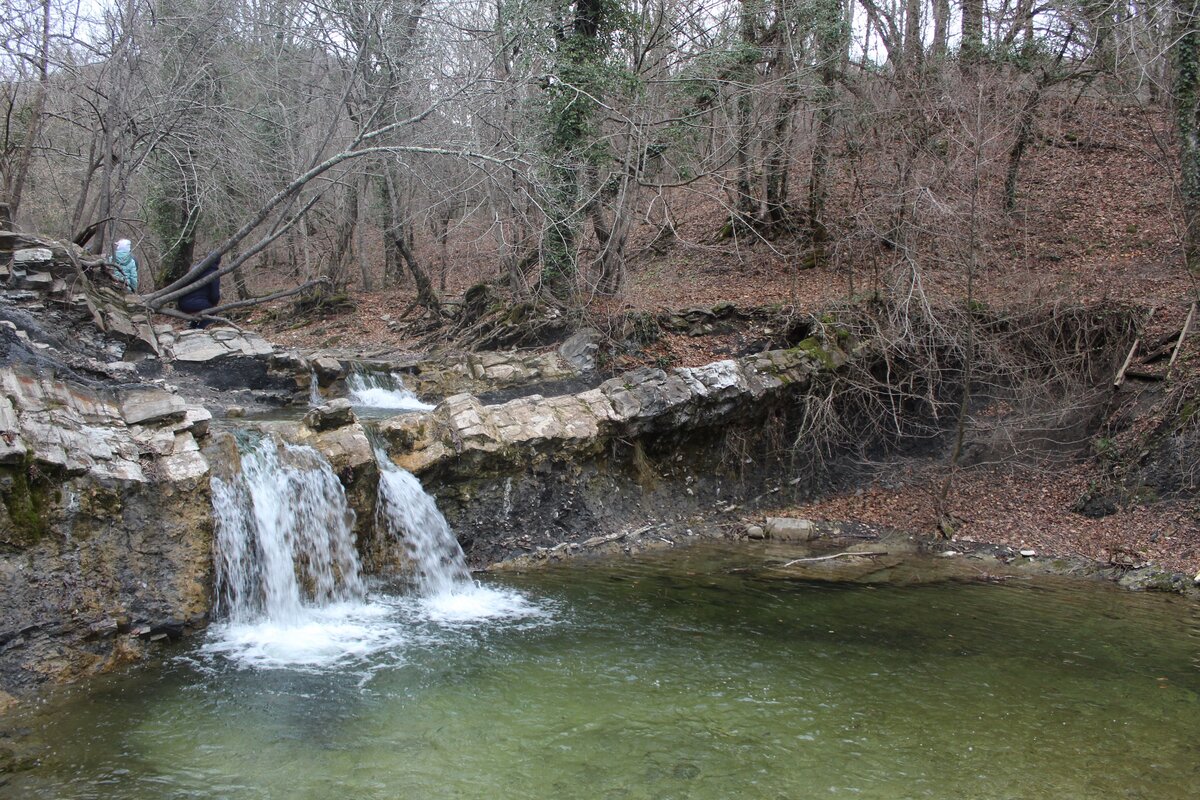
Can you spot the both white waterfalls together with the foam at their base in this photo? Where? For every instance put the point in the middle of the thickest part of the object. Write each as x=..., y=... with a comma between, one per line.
x=290, y=586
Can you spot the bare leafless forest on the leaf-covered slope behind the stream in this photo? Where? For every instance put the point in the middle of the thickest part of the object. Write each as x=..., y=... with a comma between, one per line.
x=559, y=149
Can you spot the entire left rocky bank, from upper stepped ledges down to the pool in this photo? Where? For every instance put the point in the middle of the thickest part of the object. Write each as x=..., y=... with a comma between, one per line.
x=105, y=507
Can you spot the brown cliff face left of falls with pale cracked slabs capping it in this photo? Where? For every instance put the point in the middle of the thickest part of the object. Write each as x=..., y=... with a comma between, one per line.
x=105, y=533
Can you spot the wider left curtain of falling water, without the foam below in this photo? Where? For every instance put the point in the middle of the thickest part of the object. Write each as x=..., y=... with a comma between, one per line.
x=284, y=537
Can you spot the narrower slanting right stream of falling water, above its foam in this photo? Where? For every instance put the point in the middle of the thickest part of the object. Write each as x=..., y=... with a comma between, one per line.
x=409, y=514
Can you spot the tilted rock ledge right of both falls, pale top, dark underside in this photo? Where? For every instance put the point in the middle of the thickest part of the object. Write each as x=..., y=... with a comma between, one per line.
x=649, y=450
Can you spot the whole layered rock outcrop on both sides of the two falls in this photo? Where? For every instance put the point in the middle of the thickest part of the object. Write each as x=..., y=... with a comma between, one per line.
x=106, y=515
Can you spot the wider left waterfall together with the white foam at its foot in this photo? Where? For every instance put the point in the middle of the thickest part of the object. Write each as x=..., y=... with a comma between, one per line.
x=290, y=582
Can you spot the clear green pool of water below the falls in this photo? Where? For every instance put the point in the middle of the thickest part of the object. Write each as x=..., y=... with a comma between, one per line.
x=673, y=676
